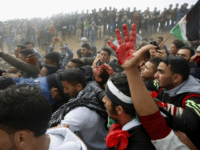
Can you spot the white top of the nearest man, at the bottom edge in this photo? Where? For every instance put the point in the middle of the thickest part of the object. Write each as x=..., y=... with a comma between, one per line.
x=64, y=139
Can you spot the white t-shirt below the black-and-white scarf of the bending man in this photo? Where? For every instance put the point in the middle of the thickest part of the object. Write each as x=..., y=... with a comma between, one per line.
x=88, y=125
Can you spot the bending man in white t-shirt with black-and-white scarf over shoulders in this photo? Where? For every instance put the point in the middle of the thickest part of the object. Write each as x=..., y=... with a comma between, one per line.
x=90, y=125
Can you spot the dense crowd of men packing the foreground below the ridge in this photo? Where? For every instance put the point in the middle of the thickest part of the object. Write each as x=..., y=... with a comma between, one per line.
x=129, y=95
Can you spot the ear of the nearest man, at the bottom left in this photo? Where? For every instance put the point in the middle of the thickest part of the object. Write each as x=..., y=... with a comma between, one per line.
x=21, y=139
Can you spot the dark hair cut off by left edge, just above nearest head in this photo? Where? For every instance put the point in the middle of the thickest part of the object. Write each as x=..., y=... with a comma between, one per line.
x=6, y=82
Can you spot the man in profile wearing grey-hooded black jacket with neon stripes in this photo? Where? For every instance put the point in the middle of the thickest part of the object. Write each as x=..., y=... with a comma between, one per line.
x=173, y=77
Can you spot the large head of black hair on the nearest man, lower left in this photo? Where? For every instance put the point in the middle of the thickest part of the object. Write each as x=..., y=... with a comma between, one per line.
x=24, y=107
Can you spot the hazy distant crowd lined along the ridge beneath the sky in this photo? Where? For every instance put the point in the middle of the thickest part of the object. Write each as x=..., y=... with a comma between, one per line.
x=93, y=25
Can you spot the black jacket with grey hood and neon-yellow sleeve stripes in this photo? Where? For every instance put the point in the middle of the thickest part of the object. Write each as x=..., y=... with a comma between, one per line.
x=189, y=121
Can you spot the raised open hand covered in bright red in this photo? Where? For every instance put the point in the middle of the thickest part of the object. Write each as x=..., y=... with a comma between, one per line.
x=126, y=49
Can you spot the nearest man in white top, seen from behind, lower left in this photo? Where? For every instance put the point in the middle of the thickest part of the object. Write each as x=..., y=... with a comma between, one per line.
x=18, y=130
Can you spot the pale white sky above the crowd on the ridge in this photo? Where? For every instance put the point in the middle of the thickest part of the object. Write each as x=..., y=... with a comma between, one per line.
x=11, y=9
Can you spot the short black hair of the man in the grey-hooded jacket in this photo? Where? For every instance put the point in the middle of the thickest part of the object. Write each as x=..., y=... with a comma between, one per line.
x=178, y=65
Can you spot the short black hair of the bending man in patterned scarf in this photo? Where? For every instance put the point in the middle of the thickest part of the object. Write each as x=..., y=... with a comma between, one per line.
x=73, y=76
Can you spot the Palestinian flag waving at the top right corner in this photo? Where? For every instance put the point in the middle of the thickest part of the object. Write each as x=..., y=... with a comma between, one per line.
x=188, y=28
